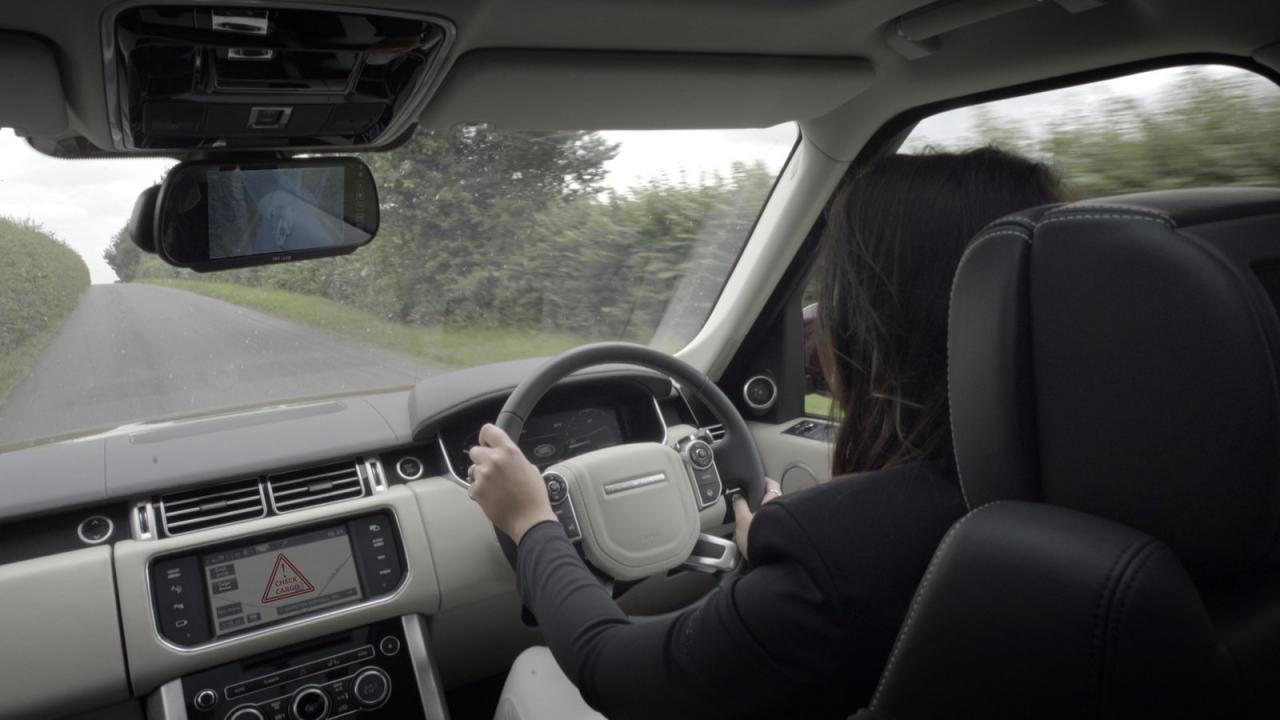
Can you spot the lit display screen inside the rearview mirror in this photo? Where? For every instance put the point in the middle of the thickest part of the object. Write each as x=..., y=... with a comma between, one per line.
x=277, y=211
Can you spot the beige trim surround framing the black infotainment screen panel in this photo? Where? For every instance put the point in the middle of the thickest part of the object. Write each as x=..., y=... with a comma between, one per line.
x=154, y=662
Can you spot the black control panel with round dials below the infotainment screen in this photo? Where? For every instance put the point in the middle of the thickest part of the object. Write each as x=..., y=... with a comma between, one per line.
x=377, y=672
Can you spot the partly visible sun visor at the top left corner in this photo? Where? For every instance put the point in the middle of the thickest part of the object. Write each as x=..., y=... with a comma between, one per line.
x=31, y=88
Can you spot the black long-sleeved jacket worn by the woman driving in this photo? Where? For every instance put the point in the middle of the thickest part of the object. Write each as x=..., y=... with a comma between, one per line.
x=806, y=634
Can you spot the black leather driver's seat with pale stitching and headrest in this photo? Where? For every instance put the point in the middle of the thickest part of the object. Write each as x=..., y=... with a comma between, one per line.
x=1116, y=399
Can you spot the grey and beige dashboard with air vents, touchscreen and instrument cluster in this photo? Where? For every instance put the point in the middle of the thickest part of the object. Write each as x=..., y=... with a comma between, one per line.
x=207, y=559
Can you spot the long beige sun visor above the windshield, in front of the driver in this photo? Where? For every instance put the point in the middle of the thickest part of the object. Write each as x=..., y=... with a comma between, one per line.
x=588, y=90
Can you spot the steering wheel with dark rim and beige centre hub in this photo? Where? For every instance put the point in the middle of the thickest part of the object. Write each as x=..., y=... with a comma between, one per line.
x=636, y=508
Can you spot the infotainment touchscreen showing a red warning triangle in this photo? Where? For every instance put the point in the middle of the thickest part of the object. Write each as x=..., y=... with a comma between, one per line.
x=278, y=580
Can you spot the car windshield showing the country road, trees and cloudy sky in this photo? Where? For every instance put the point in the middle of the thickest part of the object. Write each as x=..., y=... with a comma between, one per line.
x=495, y=245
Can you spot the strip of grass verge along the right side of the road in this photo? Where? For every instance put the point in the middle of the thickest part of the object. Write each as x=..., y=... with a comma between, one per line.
x=456, y=348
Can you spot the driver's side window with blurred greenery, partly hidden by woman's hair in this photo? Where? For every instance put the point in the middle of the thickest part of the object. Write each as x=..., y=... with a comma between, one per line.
x=1160, y=130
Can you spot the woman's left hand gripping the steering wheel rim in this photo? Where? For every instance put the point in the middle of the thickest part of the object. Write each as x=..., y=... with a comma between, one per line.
x=509, y=487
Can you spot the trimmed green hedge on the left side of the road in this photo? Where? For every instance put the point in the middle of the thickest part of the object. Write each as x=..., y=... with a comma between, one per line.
x=42, y=281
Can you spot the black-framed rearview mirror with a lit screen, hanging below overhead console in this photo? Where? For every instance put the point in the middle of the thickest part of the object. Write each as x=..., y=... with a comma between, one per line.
x=214, y=216
